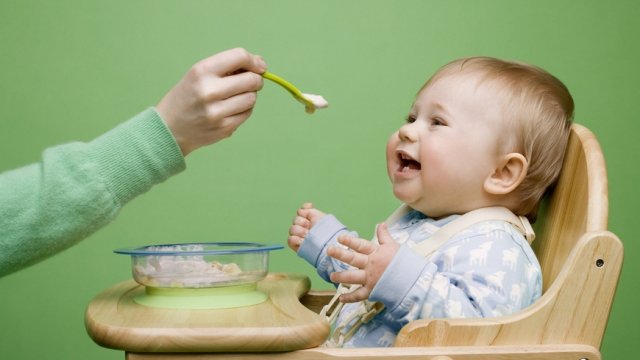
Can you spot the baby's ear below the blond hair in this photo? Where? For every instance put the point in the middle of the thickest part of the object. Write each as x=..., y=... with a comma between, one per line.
x=509, y=173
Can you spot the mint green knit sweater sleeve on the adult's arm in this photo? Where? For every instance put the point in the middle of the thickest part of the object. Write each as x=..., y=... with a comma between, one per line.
x=77, y=188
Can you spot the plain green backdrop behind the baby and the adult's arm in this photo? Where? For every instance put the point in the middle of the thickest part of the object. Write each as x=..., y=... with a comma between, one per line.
x=71, y=70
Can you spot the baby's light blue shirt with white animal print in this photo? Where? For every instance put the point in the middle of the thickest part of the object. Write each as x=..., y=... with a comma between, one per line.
x=487, y=270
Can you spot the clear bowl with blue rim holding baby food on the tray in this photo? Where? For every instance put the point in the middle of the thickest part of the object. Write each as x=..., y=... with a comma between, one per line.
x=199, y=265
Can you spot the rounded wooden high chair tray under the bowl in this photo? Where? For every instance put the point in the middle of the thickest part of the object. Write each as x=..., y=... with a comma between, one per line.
x=281, y=323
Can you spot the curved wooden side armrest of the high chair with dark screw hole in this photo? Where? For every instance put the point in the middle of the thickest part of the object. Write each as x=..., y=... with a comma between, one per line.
x=573, y=310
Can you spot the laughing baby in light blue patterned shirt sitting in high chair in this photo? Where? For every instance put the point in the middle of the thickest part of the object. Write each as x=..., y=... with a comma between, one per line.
x=481, y=133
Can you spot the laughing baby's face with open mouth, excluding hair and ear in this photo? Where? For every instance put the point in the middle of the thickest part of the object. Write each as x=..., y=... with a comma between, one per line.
x=439, y=160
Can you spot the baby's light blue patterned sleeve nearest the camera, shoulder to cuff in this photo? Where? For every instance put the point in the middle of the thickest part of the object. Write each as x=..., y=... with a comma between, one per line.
x=478, y=273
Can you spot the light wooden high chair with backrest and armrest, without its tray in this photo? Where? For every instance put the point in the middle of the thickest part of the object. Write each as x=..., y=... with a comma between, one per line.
x=581, y=263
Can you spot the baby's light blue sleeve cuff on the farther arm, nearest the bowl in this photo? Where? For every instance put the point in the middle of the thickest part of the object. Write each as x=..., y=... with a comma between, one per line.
x=314, y=247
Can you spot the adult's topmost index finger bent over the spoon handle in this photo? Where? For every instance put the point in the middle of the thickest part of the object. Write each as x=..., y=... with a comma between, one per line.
x=229, y=61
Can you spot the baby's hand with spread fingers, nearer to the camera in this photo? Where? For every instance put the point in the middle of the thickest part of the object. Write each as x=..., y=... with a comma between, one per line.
x=370, y=260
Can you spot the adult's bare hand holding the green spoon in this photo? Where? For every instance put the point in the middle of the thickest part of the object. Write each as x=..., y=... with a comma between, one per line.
x=215, y=97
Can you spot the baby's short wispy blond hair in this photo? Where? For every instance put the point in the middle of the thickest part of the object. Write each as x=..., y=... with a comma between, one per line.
x=538, y=109
